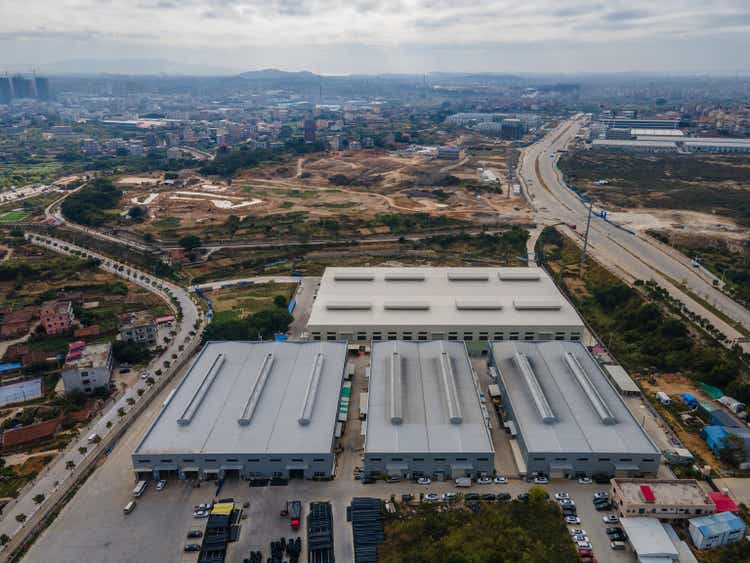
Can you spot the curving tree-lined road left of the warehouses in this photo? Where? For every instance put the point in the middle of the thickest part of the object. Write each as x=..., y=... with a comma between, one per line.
x=55, y=474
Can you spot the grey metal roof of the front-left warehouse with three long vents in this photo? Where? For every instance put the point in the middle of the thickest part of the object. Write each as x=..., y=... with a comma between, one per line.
x=216, y=423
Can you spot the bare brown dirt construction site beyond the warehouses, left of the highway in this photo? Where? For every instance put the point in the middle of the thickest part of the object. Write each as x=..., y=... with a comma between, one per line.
x=350, y=183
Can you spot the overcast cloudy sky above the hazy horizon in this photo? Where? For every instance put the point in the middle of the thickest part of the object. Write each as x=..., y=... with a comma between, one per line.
x=367, y=36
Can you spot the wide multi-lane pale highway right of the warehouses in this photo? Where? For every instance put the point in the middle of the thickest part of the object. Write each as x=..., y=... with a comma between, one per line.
x=628, y=256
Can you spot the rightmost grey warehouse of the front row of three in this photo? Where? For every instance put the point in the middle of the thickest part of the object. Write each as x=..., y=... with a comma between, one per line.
x=566, y=416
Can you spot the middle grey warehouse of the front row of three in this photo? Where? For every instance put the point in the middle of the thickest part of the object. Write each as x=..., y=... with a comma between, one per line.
x=424, y=415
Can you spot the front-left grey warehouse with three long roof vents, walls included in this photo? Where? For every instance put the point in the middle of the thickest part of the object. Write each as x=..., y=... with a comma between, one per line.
x=249, y=410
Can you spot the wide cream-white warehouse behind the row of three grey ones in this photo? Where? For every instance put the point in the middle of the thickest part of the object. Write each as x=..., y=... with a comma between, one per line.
x=469, y=304
